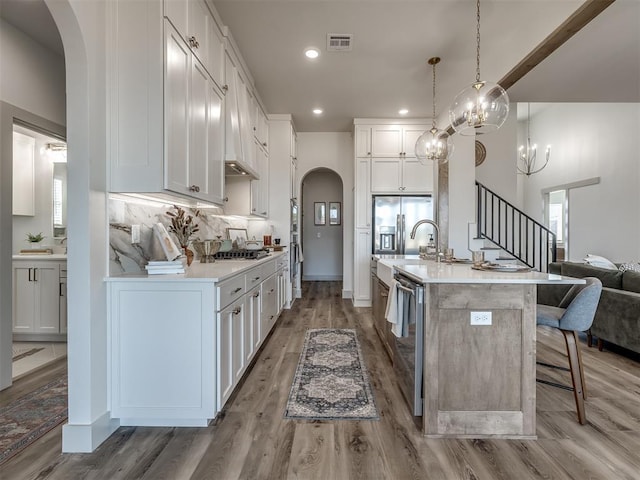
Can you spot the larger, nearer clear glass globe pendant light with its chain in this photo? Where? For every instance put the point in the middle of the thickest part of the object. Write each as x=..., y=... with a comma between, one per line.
x=483, y=106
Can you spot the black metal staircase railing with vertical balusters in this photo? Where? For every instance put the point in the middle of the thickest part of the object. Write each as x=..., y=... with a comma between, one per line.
x=513, y=230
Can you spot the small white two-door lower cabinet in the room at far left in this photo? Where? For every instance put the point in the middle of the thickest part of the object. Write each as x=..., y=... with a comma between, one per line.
x=39, y=297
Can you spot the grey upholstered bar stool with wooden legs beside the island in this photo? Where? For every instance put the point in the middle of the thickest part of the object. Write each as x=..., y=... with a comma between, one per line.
x=574, y=314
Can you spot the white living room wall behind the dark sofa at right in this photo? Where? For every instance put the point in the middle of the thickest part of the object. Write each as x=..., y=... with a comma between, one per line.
x=592, y=140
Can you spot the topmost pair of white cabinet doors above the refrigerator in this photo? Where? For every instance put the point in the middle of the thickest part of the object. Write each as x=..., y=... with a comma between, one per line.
x=394, y=140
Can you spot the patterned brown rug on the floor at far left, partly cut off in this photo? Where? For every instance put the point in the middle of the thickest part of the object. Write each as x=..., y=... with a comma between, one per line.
x=27, y=419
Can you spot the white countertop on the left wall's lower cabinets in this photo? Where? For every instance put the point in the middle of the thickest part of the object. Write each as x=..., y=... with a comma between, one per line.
x=202, y=272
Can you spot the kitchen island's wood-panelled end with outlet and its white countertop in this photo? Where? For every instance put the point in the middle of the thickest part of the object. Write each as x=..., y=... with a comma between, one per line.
x=479, y=367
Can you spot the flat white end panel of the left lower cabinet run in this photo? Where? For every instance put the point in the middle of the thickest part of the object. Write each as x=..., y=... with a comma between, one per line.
x=162, y=340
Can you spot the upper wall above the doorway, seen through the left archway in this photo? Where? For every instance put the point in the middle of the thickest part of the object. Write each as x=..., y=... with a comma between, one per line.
x=32, y=77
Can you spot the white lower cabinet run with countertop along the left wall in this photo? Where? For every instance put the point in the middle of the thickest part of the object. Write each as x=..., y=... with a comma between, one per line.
x=179, y=344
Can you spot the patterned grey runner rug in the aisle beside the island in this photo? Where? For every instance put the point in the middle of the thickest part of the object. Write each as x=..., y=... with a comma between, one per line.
x=331, y=381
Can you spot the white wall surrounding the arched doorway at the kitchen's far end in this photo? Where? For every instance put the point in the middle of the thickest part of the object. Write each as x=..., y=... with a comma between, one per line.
x=333, y=151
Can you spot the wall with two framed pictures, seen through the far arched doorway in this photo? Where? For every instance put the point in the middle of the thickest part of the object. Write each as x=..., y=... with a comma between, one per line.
x=322, y=244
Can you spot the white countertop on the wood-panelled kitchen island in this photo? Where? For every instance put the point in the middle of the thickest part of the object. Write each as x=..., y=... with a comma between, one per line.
x=427, y=271
